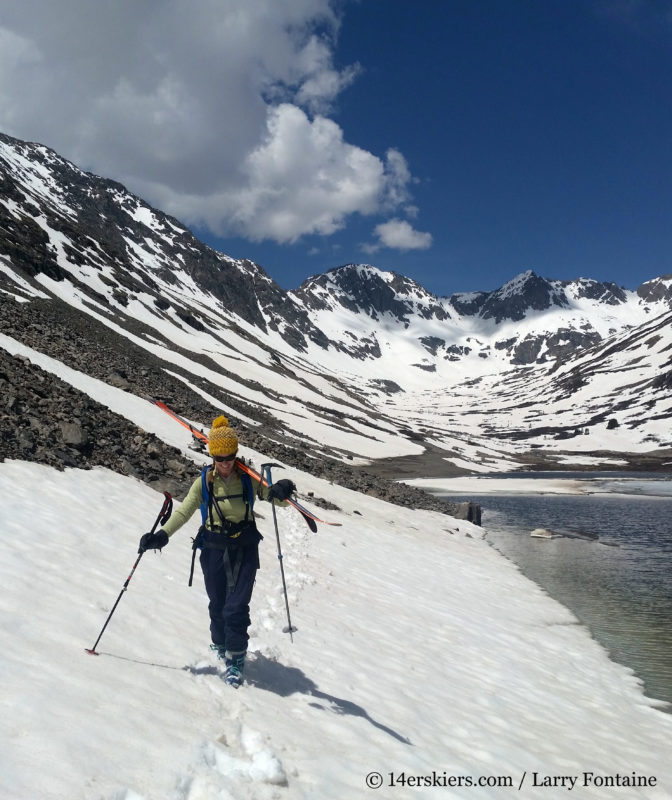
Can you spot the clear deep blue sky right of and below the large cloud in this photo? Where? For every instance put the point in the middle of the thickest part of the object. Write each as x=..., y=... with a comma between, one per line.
x=539, y=134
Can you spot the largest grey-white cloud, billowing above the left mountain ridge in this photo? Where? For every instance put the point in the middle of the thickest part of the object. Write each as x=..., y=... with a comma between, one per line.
x=214, y=110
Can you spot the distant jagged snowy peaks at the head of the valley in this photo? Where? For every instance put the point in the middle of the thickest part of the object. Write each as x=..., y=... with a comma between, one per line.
x=528, y=320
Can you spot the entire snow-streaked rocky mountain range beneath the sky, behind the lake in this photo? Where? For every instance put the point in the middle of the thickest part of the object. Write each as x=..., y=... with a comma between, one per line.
x=357, y=364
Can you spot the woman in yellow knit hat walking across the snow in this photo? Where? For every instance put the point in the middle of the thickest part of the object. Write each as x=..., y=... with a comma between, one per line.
x=228, y=539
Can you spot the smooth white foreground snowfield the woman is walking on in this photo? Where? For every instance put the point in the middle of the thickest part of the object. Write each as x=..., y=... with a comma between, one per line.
x=419, y=650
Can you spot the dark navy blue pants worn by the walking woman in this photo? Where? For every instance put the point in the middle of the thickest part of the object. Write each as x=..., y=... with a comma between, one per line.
x=229, y=605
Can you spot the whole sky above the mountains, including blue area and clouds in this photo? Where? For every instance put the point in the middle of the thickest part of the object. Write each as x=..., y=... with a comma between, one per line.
x=458, y=142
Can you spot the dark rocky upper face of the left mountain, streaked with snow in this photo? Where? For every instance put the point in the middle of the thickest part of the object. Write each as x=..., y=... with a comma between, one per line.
x=59, y=221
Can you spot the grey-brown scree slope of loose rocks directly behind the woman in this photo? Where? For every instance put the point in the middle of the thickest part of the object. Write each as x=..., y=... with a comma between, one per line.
x=44, y=419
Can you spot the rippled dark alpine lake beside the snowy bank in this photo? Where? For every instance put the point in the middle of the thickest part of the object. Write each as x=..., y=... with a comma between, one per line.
x=610, y=564
